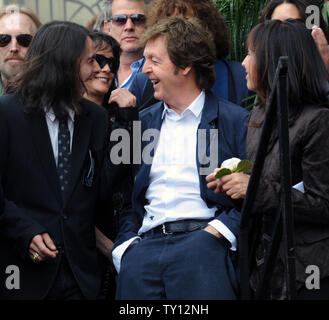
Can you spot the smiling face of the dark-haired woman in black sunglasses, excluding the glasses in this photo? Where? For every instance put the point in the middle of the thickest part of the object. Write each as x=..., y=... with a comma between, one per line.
x=101, y=82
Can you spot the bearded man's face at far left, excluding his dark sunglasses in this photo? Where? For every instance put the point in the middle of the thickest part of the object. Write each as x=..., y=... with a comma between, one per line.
x=13, y=54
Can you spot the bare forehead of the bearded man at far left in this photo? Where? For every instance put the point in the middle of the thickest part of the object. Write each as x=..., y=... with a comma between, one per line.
x=16, y=23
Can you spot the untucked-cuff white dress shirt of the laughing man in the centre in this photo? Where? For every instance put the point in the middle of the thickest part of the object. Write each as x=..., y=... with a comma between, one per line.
x=174, y=190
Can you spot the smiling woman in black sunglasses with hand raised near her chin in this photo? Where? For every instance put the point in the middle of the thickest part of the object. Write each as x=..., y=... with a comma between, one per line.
x=101, y=87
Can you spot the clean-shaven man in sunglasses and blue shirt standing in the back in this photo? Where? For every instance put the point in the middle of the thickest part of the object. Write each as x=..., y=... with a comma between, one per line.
x=126, y=25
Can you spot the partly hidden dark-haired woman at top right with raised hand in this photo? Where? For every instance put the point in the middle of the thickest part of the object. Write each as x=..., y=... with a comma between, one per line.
x=297, y=9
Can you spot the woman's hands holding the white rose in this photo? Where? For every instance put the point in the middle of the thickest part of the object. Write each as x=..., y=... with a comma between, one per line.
x=234, y=185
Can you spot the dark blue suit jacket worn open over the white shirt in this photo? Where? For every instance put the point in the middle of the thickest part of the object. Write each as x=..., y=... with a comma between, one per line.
x=230, y=120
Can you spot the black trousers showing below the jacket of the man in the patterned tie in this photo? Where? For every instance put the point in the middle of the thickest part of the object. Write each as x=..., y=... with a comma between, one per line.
x=65, y=286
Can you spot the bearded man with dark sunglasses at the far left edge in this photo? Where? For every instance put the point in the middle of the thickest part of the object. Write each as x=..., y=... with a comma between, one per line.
x=17, y=27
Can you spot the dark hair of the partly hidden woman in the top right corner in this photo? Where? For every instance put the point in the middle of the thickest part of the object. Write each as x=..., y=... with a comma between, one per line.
x=301, y=6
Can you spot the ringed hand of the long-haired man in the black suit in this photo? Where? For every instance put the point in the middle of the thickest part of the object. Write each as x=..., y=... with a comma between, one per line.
x=42, y=247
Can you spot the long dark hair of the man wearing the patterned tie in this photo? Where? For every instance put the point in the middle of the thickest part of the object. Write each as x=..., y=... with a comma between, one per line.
x=50, y=77
